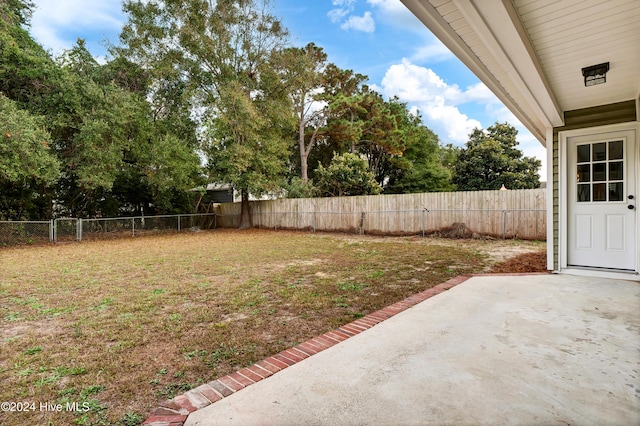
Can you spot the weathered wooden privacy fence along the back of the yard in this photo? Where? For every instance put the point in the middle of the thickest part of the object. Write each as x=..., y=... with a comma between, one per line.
x=505, y=214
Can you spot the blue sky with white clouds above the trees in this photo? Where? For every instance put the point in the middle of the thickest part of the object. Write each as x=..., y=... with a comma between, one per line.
x=377, y=38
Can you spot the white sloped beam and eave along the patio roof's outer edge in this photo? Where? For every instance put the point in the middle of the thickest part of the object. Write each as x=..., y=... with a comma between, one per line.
x=493, y=45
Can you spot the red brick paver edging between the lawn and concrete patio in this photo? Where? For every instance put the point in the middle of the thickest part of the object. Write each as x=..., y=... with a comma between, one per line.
x=174, y=412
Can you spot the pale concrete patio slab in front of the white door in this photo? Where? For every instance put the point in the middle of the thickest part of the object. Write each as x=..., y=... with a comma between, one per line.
x=520, y=350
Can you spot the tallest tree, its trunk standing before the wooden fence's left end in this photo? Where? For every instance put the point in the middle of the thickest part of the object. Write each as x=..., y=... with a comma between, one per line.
x=225, y=51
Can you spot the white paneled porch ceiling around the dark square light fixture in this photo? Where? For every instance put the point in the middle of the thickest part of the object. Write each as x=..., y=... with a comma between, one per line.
x=569, y=35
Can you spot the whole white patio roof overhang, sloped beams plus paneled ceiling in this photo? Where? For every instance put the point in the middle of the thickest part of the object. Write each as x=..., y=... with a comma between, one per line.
x=530, y=53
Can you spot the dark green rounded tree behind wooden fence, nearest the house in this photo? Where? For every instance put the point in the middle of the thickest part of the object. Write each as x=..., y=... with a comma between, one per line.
x=491, y=159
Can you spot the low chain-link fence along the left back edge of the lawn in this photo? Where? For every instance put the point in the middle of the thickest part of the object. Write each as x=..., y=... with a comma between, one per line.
x=74, y=229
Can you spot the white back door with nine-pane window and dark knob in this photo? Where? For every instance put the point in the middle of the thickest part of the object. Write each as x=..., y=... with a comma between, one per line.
x=601, y=200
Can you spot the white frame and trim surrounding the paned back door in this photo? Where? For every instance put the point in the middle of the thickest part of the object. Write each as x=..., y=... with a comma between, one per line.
x=563, y=137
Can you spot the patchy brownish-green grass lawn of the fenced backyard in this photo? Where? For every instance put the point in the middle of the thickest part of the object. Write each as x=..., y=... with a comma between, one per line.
x=119, y=326
